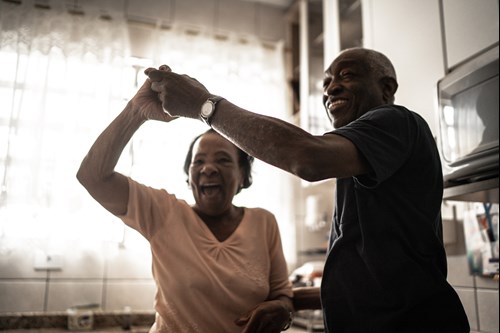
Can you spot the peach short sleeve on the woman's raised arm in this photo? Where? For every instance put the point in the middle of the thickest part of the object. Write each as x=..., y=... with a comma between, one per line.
x=147, y=208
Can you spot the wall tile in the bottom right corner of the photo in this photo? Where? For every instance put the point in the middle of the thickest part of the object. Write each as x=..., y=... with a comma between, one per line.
x=487, y=301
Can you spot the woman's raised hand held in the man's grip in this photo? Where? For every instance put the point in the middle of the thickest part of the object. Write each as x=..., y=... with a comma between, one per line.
x=147, y=102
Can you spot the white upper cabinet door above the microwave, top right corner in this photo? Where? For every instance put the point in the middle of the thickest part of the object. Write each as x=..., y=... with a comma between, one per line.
x=468, y=28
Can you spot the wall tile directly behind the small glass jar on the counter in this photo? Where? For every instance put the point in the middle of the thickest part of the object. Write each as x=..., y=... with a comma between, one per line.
x=65, y=294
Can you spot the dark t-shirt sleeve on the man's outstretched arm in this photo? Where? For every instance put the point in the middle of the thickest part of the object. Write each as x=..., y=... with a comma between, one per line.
x=383, y=137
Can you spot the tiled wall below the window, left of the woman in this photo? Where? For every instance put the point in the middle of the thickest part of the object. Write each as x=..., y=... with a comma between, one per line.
x=103, y=273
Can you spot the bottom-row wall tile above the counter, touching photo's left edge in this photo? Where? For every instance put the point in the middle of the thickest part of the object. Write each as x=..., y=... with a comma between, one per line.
x=22, y=296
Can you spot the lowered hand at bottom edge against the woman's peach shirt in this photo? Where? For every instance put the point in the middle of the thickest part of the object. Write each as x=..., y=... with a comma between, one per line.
x=267, y=317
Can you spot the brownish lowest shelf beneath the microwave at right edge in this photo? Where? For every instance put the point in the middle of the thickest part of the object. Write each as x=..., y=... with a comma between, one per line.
x=482, y=191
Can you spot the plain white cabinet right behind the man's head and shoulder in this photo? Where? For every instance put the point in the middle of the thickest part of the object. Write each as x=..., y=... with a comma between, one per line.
x=409, y=33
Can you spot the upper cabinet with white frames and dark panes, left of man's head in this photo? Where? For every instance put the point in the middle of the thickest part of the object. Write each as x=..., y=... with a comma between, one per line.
x=316, y=31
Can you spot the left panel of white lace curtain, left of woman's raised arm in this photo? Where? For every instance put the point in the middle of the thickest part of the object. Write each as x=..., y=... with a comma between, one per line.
x=62, y=77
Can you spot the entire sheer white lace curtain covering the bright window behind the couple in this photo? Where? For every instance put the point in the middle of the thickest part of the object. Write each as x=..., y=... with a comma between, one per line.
x=64, y=76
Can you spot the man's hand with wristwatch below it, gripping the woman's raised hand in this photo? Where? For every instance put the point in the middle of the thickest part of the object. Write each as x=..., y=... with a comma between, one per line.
x=180, y=95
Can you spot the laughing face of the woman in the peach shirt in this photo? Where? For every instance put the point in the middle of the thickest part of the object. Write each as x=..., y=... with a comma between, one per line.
x=214, y=174
